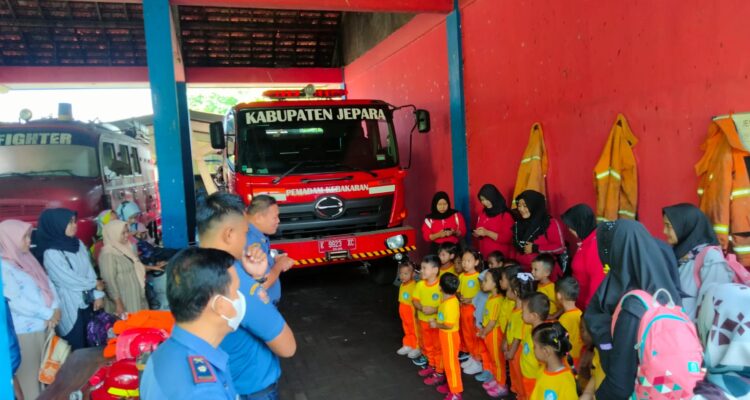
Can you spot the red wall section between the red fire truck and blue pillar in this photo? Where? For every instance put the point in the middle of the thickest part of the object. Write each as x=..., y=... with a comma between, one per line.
x=411, y=67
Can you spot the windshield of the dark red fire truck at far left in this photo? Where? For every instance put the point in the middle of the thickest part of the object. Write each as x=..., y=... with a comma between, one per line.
x=48, y=160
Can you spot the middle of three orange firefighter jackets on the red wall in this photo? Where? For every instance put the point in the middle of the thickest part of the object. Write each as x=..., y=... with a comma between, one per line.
x=616, y=175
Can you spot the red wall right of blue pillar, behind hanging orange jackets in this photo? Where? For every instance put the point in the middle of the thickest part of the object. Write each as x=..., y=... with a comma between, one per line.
x=667, y=65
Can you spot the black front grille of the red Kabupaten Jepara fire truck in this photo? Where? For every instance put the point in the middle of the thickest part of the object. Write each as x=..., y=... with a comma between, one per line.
x=360, y=215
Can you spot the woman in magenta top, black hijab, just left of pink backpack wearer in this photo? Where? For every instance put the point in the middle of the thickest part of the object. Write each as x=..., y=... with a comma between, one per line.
x=586, y=265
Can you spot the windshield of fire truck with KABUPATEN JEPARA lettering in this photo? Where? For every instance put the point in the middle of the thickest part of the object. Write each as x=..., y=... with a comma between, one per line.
x=323, y=140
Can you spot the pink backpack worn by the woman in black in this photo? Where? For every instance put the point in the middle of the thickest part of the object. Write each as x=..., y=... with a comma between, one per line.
x=669, y=352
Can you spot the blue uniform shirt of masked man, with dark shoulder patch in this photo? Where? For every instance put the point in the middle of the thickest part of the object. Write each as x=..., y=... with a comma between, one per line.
x=186, y=367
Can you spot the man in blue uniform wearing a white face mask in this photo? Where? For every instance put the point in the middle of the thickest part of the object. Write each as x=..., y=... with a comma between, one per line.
x=203, y=291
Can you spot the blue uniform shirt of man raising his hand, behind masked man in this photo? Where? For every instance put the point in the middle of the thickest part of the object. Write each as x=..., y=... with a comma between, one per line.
x=254, y=366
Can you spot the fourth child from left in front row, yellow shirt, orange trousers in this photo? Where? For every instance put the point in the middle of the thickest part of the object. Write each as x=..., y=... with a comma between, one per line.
x=471, y=261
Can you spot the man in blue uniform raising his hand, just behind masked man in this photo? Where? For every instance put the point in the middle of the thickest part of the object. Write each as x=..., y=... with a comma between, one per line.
x=263, y=336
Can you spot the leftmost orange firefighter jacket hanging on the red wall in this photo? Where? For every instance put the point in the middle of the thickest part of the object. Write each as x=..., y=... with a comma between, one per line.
x=533, y=169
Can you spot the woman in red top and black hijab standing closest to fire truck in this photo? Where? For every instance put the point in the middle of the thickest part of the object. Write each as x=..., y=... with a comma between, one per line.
x=442, y=224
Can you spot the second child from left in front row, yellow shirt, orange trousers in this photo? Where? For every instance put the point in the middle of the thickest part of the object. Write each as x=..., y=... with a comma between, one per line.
x=426, y=299
